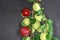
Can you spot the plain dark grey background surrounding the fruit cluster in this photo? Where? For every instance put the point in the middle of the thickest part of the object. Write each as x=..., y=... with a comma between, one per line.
x=9, y=11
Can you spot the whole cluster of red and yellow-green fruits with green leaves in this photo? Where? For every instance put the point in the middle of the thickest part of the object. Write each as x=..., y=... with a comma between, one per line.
x=35, y=25
